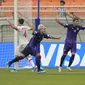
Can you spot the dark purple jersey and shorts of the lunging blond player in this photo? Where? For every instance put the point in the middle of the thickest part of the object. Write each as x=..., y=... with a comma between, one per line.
x=35, y=40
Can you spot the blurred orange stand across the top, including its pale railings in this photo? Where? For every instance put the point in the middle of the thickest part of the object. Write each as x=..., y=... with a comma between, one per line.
x=48, y=7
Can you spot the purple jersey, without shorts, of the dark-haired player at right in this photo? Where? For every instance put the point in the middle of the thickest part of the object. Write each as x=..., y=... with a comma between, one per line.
x=72, y=32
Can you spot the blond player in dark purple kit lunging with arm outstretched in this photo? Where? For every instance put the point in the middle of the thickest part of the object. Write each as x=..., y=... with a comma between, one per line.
x=30, y=48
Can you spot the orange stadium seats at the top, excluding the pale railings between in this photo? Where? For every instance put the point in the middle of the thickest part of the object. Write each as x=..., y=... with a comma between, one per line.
x=46, y=3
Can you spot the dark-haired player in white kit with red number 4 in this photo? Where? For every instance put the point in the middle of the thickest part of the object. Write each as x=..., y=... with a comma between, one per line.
x=23, y=39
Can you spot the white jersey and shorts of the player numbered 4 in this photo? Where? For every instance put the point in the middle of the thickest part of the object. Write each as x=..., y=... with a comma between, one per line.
x=23, y=38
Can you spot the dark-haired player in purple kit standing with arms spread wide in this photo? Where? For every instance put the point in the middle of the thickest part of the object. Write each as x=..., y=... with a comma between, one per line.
x=70, y=41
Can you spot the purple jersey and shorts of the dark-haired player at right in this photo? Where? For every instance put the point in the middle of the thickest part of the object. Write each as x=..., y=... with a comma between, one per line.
x=70, y=42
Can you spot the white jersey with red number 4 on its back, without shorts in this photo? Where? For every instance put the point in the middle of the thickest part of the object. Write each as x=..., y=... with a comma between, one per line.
x=23, y=34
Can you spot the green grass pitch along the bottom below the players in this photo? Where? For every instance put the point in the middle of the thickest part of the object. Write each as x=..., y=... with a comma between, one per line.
x=51, y=77
